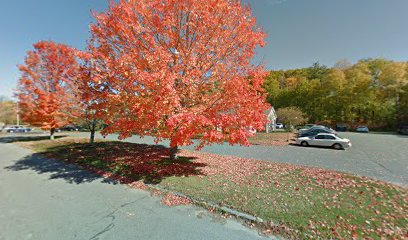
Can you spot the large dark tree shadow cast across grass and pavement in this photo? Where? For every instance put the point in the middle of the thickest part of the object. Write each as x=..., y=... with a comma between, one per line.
x=130, y=161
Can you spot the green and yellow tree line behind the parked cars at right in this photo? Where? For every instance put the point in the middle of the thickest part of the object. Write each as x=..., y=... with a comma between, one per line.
x=372, y=92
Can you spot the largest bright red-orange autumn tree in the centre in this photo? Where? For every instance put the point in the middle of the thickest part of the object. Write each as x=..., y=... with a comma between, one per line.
x=177, y=69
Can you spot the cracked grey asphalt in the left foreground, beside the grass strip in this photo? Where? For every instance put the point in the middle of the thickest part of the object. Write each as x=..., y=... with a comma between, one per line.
x=44, y=199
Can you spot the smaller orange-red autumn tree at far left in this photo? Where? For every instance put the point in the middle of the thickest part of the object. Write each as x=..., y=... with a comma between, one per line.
x=46, y=91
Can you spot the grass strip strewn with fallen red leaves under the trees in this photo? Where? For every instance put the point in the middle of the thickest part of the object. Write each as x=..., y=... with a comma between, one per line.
x=296, y=202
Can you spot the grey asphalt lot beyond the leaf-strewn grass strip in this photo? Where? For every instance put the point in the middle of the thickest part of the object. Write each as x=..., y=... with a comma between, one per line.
x=379, y=156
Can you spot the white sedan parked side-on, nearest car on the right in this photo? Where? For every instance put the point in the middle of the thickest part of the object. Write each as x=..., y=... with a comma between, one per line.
x=324, y=140
